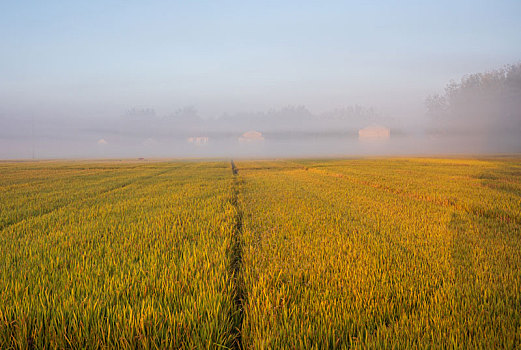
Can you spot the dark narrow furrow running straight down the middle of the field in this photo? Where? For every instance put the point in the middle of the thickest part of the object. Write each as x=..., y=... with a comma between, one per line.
x=236, y=259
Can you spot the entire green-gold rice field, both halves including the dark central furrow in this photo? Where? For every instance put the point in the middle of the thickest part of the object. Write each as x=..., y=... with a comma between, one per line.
x=391, y=252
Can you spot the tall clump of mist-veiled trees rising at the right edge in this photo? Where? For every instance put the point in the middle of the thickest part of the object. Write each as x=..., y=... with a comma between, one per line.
x=489, y=102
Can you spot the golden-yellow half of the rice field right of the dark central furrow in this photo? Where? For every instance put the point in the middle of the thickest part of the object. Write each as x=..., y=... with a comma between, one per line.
x=382, y=253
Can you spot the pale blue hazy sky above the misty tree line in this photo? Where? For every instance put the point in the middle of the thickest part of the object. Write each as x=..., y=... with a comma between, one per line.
x=96, y=57
